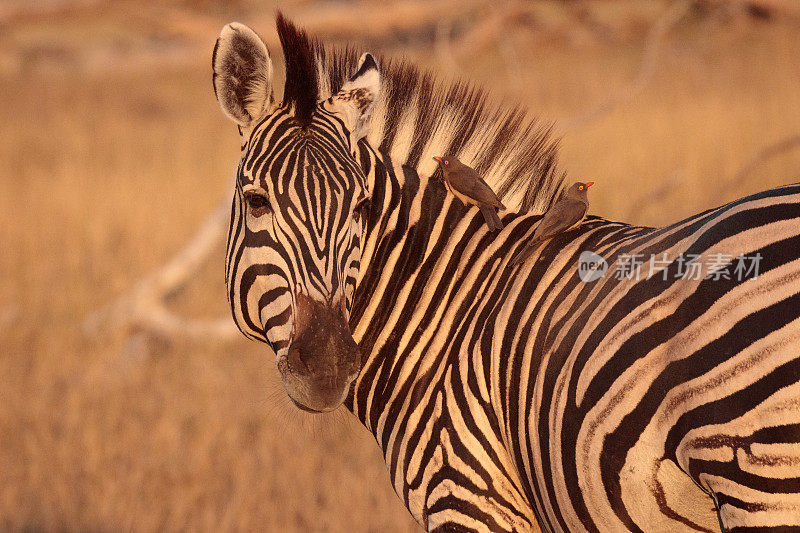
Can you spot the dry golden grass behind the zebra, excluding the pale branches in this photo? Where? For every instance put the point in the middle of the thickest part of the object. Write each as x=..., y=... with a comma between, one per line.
x=105, y=174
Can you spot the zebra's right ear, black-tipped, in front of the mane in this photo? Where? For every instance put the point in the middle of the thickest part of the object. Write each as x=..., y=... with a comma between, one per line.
x=356, y=101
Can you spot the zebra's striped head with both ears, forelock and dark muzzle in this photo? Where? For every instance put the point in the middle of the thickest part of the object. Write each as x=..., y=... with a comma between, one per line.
x=294, y=245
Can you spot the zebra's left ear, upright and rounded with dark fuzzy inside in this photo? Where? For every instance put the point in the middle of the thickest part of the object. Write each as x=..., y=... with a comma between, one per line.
x=242, y=73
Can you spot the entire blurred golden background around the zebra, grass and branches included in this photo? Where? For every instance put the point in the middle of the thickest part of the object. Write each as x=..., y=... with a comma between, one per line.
x=125, y=401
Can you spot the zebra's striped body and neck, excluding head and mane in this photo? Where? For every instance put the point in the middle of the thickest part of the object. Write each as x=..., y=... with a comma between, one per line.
x=517, y=417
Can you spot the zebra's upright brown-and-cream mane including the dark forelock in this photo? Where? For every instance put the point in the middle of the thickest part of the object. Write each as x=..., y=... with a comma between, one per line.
x=418, y=116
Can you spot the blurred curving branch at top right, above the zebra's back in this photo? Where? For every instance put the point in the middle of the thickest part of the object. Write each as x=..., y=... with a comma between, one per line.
x=647, y=68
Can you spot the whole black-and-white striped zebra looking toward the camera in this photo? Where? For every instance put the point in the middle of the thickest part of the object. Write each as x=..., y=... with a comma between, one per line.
x=552, y=396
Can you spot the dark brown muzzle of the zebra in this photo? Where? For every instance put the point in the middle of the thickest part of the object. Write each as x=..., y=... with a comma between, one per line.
x=322, y=359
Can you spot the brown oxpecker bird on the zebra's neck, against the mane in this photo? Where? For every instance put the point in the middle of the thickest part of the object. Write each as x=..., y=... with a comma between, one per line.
x=465, y=183
